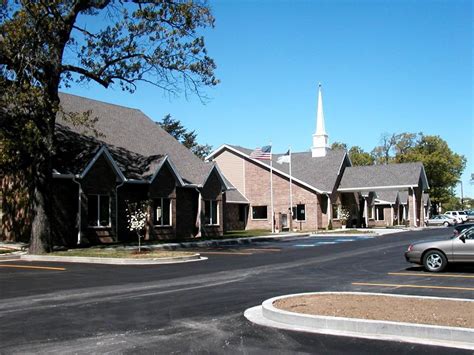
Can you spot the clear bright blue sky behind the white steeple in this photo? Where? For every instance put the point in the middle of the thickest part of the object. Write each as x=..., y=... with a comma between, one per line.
x=385, y=67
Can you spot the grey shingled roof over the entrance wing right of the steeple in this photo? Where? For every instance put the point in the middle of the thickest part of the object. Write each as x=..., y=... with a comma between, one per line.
x=381, y=176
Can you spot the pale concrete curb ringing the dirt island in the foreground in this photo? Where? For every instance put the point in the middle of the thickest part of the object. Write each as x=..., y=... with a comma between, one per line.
x=268, y=315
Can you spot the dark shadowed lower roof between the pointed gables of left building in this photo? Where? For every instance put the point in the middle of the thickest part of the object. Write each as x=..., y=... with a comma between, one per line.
x=74, y=151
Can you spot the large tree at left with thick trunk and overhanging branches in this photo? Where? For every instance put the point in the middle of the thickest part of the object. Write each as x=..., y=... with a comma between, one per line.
x=45, y=44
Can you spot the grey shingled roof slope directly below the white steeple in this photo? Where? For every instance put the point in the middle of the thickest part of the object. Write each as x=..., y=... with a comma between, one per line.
x=320, y=173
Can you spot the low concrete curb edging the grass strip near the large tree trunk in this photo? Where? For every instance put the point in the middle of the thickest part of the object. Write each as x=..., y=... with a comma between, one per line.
x=113, y=261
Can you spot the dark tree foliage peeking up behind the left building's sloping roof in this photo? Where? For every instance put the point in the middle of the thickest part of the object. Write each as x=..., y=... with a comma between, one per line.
x=185, y=137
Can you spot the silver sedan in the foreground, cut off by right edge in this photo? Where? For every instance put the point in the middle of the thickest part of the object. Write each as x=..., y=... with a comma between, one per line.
x=436, y=254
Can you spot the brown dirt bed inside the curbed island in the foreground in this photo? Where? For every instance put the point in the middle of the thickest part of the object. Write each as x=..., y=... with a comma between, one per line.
x=386, y=308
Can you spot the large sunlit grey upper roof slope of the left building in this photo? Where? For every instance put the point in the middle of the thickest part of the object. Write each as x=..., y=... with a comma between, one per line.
x=132, y=130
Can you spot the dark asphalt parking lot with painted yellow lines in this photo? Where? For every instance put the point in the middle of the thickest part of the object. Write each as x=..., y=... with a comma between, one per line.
x=148, y=309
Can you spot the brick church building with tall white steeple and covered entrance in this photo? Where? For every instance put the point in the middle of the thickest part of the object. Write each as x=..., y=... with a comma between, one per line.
x=326, y=190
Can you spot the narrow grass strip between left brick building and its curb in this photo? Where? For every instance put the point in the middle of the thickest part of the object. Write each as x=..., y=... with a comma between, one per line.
x=121, y=253
